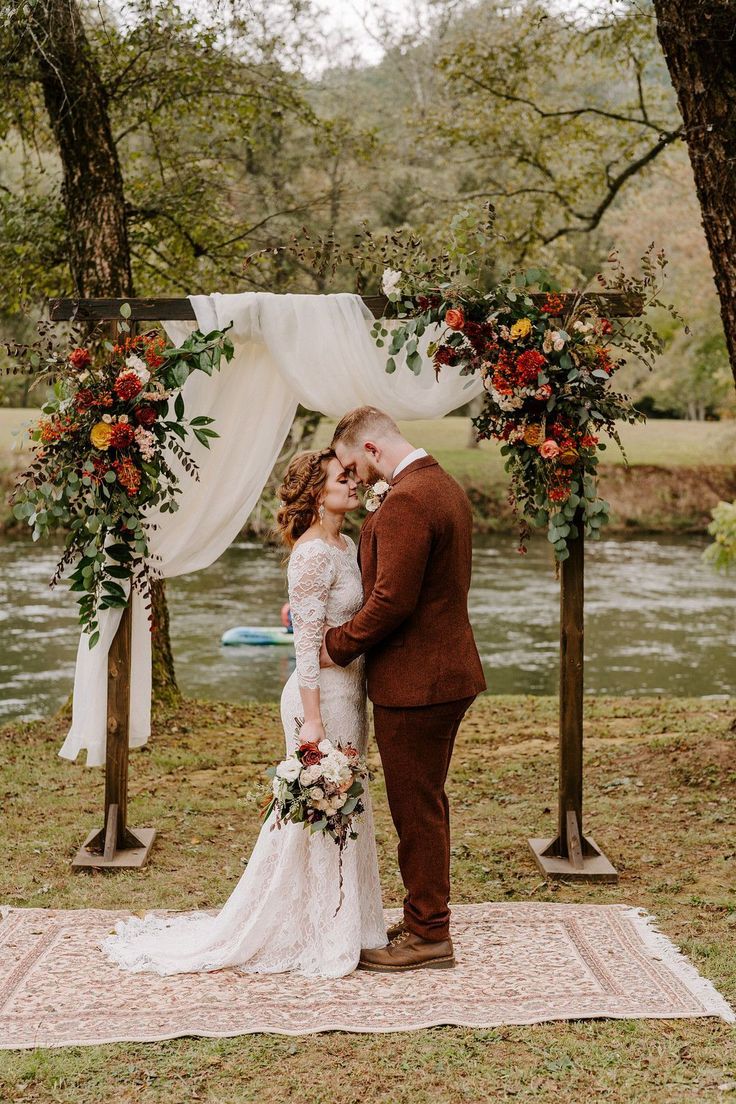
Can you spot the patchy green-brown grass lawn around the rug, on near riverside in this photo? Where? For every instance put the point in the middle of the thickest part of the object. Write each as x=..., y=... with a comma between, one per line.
x=660, y=799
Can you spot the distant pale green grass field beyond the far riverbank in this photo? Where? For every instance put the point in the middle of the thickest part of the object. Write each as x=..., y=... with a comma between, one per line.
x=666, y=443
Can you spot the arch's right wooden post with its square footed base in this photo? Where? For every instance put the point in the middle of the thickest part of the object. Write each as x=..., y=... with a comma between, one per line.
x=571, y=855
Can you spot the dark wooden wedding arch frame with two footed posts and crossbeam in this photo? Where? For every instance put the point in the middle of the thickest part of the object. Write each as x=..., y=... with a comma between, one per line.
x=570, y=855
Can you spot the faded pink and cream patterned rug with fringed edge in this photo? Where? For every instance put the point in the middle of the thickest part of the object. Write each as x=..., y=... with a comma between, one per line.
x=517, y=964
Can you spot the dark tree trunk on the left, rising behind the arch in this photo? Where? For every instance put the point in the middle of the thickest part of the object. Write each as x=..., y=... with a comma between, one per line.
x=94, y=199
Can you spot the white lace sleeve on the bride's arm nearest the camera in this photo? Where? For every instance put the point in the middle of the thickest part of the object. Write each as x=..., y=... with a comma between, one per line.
x=311, y=576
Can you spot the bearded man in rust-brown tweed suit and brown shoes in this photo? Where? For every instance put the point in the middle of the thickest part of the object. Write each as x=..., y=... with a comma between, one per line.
x=422, y=663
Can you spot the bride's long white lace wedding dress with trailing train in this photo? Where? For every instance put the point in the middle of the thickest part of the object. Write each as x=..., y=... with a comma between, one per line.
x=282, y=914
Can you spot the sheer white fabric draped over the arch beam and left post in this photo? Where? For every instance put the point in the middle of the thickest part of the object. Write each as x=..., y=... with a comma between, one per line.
x=290, y=349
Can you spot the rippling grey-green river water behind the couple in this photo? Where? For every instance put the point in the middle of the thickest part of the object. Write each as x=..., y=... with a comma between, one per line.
x=658, y=621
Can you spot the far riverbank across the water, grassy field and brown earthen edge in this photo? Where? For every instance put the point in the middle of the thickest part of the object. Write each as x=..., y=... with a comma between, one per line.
x=679, y=472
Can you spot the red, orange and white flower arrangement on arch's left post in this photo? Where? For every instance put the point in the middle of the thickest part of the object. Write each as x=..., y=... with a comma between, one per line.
x=103, y=453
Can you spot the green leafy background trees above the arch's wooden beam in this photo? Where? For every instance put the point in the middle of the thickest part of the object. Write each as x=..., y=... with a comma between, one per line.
x=229, y=151
